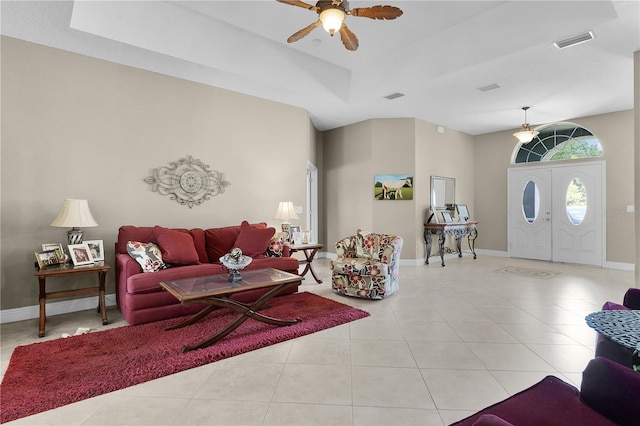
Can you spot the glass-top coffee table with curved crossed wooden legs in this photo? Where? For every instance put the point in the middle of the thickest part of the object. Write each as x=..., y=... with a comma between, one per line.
x=215, y=290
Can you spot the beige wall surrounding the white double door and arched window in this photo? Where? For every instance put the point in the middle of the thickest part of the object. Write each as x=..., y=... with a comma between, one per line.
x=493, y=156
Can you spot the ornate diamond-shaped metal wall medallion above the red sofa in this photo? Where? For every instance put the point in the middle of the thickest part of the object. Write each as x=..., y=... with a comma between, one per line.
x=188, y=181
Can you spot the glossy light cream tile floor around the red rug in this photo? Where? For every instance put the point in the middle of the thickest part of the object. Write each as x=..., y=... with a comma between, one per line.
x=451, y=341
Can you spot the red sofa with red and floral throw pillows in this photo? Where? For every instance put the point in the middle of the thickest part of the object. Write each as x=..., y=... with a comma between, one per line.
x=189, y=253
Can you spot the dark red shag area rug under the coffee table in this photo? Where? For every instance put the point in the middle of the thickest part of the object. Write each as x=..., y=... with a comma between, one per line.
x=46, y=375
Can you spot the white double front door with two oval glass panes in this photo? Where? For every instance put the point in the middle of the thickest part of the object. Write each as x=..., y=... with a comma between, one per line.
x=557, y=213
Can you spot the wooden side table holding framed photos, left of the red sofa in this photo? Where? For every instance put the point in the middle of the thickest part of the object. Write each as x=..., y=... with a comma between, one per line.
x=69, y=269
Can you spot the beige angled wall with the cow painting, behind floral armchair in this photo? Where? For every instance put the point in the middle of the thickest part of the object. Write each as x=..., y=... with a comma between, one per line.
x=354, y=154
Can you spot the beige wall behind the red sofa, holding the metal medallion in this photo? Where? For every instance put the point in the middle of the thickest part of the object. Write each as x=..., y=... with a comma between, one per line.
x=77, y=127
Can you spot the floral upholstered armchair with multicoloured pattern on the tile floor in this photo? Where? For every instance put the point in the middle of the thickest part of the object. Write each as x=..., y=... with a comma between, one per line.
x=367, y=265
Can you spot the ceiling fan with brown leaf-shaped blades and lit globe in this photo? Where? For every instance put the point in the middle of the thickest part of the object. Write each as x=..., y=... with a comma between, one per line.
x=331, y=15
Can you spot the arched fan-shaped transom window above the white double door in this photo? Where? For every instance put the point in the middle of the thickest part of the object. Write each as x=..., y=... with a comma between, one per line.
x=559, y=141
